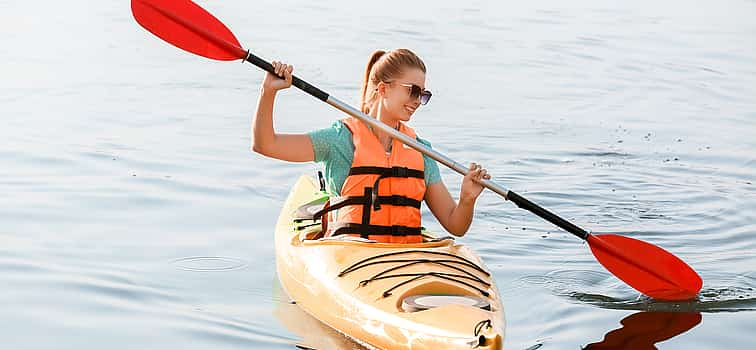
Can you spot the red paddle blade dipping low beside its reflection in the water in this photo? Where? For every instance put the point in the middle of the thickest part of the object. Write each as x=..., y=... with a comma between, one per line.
x=649, y=269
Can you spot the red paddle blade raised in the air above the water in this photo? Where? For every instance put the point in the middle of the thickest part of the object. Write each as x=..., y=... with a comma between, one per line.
x=187, y=26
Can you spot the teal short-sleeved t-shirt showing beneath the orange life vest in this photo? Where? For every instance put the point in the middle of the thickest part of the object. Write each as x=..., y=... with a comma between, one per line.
x=334, y=148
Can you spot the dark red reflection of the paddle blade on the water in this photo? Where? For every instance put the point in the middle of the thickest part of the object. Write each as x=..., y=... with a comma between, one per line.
x=640, y=331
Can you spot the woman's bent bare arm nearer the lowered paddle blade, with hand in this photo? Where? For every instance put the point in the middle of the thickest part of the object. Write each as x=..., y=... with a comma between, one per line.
x=456, y=217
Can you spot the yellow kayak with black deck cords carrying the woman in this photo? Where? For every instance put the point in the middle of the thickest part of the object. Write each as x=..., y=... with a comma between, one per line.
x=431, y=295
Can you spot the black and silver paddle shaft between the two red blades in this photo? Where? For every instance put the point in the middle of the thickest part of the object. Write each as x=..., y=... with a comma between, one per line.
x=375, y=123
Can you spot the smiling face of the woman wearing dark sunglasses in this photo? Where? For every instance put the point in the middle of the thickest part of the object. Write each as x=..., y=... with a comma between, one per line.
x=397, y=101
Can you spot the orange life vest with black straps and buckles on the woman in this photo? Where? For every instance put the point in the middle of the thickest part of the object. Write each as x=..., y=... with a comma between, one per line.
x=381, y=196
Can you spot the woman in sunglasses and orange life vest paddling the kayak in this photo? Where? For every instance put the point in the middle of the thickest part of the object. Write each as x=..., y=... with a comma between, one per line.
x=376, y=183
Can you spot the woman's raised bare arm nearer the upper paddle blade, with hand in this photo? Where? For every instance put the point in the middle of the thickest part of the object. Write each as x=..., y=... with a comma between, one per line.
x=289, y=147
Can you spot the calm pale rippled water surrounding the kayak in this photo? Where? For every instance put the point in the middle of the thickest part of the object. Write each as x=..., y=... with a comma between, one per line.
x=133, y=216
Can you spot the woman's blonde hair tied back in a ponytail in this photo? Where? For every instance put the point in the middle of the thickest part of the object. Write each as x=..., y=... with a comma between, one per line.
x=383, y=67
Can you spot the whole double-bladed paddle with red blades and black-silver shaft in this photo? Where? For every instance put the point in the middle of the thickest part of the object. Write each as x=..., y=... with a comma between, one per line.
x=649, y=269
